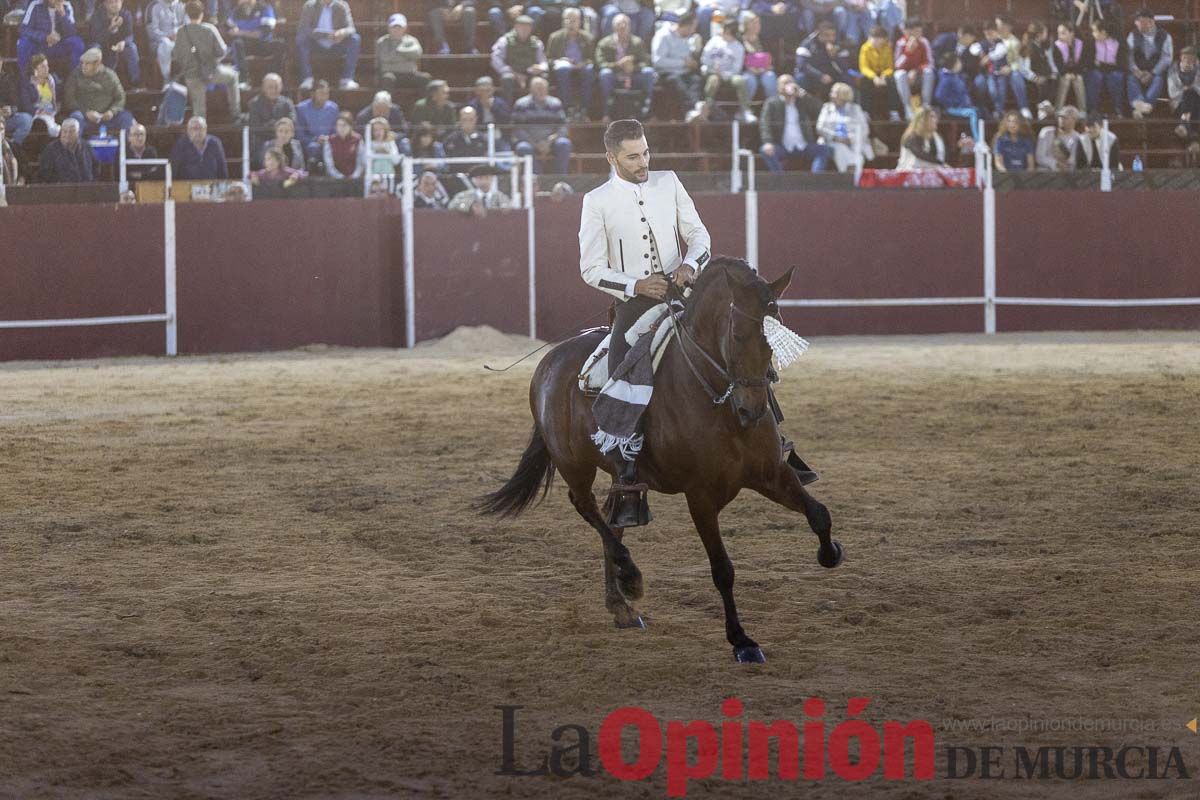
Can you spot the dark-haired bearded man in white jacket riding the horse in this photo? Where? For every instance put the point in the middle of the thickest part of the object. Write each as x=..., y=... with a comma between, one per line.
x=633, y=233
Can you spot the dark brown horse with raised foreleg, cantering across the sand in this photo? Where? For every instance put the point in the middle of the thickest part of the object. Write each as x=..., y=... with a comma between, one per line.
x=698, y=443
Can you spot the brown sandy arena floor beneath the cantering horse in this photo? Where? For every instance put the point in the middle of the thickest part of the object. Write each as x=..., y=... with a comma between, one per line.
x=257, y=576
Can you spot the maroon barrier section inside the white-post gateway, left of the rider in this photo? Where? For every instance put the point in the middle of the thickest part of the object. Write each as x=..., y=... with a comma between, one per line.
x=469, y=272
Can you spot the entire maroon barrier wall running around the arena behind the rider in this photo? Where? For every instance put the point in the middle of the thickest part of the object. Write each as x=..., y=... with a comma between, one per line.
x=278, y=275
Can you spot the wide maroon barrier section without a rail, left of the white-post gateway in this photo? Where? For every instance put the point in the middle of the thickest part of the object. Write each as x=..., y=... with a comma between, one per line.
x=281, y=274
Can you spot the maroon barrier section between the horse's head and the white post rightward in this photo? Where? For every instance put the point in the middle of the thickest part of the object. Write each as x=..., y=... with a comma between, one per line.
x=875, y=244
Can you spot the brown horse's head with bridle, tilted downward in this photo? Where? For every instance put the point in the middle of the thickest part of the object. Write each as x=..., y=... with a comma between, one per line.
x=734, y=311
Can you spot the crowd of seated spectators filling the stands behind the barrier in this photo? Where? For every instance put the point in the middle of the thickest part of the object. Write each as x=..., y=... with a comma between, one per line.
x=813, y=76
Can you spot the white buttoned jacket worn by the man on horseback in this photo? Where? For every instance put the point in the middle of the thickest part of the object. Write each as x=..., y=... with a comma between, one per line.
x=615, y=245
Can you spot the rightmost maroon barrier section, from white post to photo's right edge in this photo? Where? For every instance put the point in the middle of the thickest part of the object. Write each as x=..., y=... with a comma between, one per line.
x=1096, y=245
